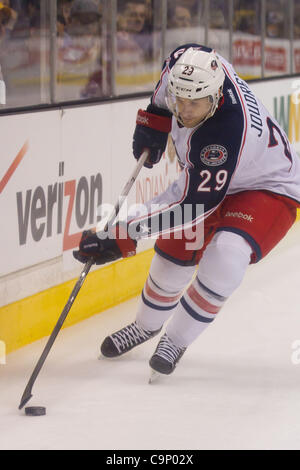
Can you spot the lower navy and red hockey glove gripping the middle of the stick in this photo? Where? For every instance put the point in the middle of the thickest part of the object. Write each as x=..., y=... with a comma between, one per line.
x=109, y=249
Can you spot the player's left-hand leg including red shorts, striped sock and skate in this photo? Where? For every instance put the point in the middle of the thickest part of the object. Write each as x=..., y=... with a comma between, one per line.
x=171, y=271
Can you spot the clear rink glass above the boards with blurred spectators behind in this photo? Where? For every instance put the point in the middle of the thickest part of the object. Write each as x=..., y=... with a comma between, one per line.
x=76, y=51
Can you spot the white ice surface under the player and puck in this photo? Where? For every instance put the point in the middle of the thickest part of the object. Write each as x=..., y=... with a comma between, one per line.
x=236, y=387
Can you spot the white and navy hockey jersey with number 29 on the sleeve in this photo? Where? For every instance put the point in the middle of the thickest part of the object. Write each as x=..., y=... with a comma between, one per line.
x=242, y=147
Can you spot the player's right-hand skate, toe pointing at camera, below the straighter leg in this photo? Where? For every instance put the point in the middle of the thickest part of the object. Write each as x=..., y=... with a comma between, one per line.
x=165, y=358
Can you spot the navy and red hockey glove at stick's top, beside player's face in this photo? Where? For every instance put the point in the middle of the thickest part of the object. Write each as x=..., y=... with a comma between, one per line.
x=151, y=132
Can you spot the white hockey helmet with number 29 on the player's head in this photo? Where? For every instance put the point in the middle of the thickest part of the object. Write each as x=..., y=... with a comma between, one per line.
x=197, y=74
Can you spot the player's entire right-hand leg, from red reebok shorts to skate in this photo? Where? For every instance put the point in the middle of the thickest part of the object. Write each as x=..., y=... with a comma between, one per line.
x=251, y=224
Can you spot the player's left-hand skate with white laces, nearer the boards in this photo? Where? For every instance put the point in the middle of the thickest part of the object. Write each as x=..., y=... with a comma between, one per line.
x=125, y=339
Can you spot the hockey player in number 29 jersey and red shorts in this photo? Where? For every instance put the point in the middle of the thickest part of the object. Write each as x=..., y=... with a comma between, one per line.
x=237, y=162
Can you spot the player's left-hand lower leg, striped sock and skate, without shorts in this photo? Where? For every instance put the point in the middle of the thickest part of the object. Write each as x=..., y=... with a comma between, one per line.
x=161, y=294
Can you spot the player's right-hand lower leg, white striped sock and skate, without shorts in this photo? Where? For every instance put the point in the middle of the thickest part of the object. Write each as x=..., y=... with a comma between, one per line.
x=221, y=270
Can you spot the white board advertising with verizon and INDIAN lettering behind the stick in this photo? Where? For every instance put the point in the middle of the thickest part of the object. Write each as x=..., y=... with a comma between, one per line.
x=57, y=170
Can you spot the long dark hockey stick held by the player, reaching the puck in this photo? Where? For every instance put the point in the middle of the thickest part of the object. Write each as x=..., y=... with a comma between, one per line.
x=28, y=390
